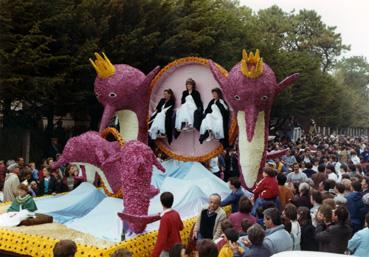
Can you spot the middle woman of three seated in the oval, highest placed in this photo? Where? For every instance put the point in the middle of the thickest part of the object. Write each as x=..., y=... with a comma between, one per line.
x=189, y=114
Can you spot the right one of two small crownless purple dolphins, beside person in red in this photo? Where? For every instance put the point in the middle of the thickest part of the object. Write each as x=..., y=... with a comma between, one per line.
x=135, y=164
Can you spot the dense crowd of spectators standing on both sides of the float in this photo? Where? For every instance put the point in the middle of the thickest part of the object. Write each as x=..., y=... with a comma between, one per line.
x=315, y=198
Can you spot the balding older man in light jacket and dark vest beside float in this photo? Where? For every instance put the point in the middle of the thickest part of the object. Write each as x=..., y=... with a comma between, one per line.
x=209, y=220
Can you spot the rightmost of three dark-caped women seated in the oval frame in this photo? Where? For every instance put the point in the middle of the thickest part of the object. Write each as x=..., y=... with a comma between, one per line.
x=215, y=123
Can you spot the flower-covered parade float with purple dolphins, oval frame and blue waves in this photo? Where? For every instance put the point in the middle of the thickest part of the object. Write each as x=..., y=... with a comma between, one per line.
x=131, y=175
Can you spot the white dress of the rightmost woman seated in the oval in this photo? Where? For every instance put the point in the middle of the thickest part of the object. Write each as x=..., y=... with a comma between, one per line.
x=214, y=122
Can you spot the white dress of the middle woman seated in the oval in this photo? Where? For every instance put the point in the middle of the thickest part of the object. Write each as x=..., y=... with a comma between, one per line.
x=185, y=113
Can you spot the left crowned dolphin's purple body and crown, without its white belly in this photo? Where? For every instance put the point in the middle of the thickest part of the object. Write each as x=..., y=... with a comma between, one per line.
x=123, y=88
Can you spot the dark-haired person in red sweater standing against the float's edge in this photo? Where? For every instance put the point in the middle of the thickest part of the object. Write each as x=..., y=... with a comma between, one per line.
x=170, y=226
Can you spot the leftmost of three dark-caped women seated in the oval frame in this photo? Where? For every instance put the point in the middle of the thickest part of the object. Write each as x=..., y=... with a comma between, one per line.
x=161, y=120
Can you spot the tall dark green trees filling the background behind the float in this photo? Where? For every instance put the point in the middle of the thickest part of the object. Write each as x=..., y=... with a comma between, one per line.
x=45, y=46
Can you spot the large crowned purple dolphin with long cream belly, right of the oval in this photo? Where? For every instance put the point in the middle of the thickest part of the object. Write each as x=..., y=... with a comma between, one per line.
x=250, y=89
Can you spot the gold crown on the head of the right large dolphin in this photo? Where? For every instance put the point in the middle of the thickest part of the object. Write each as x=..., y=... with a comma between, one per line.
x=254, y=61
